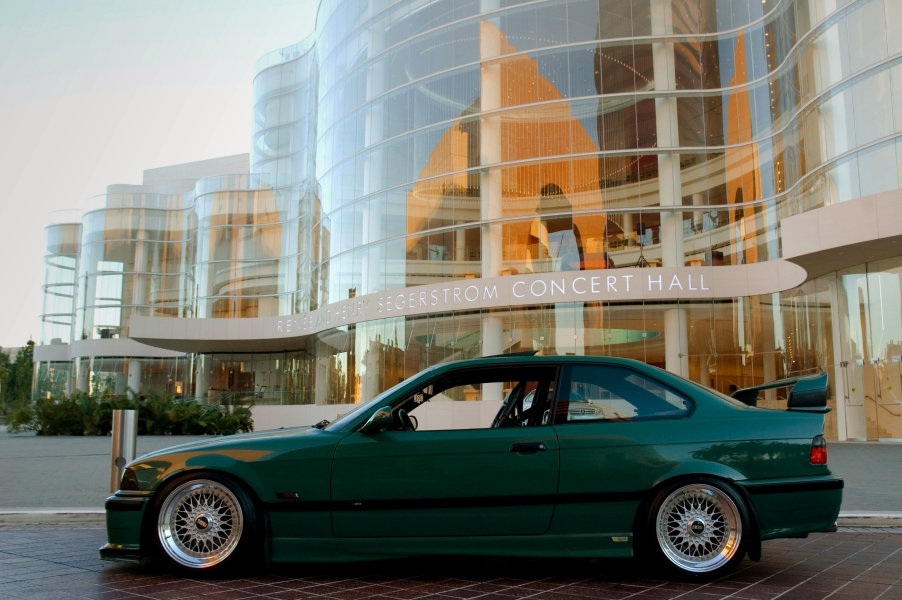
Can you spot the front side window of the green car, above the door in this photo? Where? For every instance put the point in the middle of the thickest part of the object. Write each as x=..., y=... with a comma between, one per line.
x=493, y=398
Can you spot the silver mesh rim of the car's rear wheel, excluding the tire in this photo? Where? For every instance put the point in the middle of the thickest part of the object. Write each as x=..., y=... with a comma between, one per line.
x=698, y=528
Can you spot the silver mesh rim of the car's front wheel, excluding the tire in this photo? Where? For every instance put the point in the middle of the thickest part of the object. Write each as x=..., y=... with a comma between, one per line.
x=200, y=523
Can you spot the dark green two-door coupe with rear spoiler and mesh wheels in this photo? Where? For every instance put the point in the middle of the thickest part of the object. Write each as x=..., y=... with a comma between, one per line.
x=562, y=456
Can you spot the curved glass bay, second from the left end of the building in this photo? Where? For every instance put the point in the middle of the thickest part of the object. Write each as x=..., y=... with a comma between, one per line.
x=135, y=260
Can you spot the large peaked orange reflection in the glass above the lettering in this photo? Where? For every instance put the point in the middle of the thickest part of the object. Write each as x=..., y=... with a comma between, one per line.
x=541, y=126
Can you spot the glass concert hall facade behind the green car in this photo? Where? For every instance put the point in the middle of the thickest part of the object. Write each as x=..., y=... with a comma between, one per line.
x=413, y=159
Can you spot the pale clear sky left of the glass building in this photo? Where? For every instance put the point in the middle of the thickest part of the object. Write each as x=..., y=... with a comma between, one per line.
x=94, y=92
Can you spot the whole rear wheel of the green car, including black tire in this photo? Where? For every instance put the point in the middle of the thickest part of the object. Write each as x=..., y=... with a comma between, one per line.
x=698, y=528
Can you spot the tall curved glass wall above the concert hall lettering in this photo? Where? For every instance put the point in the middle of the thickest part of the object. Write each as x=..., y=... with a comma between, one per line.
x=762, y=106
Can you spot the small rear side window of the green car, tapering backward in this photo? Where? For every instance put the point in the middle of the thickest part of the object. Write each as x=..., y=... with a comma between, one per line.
x=610, y=393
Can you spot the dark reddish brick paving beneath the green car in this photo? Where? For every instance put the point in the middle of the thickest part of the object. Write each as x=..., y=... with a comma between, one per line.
x=61, y=563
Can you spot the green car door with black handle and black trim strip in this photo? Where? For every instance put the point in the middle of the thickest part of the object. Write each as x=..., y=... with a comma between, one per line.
x=492, y=480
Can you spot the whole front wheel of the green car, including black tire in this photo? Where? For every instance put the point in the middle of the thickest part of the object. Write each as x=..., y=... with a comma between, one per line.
x=205, y=523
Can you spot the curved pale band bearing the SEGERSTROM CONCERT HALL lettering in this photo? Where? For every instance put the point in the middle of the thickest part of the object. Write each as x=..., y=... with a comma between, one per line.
x=462, y=295
